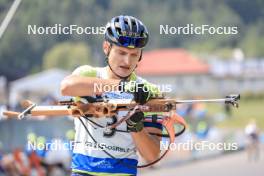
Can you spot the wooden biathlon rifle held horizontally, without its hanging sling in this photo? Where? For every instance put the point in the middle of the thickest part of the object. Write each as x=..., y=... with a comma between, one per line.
x=107, y=108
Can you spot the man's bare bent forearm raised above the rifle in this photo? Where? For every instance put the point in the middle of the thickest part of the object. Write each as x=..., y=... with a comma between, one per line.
x=75, y=85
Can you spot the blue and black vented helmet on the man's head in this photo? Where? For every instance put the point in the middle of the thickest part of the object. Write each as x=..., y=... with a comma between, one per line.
x=126, y=31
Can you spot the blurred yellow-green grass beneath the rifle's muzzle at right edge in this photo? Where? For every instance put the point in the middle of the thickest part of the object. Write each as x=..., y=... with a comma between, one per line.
x=248, y=109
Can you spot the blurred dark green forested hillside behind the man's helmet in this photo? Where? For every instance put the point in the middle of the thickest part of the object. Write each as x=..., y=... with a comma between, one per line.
x=21, y=53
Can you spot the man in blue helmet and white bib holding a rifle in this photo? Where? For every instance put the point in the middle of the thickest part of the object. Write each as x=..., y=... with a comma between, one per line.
x=125, y=37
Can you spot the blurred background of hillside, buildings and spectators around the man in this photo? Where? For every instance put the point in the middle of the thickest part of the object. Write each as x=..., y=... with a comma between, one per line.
x=195, y=66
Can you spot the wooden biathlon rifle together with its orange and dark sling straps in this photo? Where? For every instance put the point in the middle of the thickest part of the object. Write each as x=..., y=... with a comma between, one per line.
x=107, y=108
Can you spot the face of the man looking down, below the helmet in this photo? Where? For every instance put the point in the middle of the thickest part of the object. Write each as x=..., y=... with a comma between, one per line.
x=122, y=60
